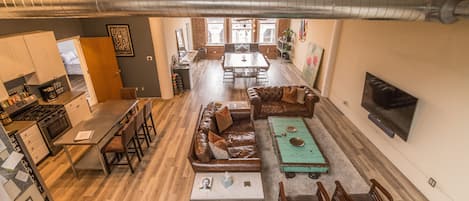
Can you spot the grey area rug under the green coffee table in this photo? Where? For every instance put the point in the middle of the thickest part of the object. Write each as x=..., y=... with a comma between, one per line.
x=340, y=167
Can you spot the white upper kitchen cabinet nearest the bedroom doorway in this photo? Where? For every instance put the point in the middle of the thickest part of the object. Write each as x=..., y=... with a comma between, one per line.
x=45, y=56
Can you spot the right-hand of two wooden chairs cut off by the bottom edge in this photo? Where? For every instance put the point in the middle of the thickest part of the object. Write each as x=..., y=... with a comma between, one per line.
x=377, y=193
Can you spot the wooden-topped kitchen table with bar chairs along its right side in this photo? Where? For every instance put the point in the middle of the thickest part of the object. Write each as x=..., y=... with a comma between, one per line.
x=106, y=119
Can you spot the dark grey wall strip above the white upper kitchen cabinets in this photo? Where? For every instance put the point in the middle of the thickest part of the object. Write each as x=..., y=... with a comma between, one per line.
x=63, y=28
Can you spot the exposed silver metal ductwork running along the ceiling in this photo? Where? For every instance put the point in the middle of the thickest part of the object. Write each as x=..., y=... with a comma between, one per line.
x=446, y=11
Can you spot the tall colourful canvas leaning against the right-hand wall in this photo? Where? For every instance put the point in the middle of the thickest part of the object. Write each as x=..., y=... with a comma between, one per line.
x=312, y=63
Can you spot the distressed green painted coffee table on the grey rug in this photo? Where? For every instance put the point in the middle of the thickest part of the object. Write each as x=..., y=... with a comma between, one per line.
x=308, y=158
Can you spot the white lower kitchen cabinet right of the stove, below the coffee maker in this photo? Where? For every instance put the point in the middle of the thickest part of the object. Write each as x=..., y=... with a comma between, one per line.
x=78, y=110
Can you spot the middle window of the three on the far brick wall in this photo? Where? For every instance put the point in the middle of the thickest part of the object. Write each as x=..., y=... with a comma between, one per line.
x=241, y=30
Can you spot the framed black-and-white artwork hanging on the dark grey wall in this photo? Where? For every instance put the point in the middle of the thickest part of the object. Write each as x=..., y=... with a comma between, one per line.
x=121, y=38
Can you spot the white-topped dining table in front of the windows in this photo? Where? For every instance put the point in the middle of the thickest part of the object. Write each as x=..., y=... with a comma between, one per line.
x=246, y=64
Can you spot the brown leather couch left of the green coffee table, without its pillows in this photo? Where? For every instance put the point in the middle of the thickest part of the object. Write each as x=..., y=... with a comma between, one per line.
x=240, y=138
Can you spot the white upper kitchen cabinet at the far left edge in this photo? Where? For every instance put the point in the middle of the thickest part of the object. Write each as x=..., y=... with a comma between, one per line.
x=15, y=60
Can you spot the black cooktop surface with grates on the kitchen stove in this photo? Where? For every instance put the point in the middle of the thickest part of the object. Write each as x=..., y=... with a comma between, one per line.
x=37, y=113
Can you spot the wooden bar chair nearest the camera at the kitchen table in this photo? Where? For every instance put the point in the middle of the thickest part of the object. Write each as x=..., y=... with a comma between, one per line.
x=120, y=145
